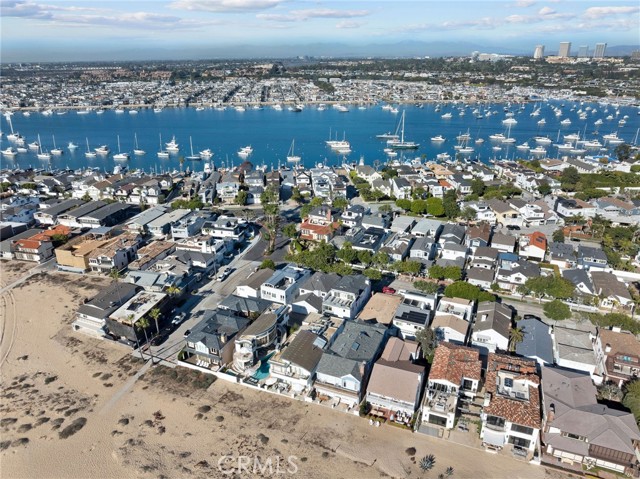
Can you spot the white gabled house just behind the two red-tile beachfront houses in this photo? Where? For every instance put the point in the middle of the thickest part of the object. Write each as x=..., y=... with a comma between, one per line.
x=491, y=328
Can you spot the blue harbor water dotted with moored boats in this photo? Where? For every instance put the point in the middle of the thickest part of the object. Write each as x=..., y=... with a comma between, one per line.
x=271, y=132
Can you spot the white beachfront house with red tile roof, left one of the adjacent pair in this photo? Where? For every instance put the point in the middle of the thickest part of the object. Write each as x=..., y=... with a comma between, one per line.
x=455, y=372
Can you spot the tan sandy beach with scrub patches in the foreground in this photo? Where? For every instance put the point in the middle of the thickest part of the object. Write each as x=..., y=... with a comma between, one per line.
x=75, y=407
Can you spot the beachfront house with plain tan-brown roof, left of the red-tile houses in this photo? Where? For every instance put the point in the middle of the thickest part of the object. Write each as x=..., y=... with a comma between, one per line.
x=396, y=383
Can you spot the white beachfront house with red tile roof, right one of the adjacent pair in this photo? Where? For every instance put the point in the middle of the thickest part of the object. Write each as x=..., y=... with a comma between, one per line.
x=511, y=413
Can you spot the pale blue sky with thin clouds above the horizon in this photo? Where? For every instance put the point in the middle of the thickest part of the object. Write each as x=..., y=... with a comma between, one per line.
x=53, y=30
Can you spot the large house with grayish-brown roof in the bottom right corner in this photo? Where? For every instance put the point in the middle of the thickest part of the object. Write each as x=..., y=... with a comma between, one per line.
x=579, y=430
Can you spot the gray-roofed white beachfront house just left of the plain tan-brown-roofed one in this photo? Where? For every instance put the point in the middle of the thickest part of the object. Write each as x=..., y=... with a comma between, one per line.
x=344, y=368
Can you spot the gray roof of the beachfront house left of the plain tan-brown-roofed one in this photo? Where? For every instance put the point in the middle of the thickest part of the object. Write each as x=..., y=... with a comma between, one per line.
x=359, y=341
